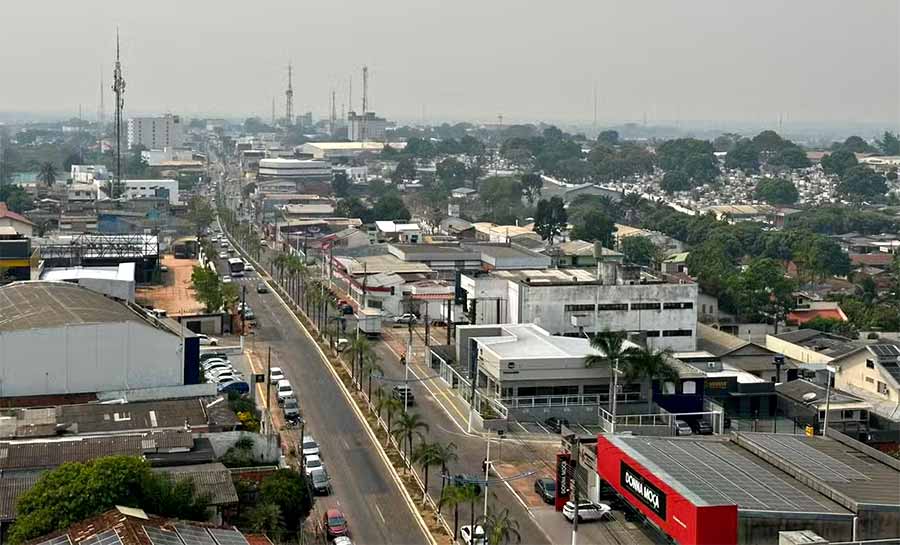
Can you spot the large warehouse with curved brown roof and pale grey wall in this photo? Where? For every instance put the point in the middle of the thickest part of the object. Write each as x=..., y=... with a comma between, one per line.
x=58, y=338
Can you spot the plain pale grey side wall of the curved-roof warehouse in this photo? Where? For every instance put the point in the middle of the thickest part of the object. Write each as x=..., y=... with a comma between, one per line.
x=88, y=358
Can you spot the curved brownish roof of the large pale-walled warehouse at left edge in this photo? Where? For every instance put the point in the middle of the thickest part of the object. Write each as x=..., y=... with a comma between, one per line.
x=31, y=305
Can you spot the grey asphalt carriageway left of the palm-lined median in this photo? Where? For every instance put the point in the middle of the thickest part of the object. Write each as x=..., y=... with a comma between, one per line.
x=363, y=487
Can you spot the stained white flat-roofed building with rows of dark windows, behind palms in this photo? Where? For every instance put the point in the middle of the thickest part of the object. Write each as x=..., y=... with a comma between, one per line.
x=575, y=301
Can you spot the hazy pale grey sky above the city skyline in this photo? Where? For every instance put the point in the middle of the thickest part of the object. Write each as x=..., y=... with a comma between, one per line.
x=746, y=60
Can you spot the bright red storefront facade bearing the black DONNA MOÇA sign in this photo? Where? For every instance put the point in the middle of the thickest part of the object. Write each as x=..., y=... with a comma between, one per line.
x=686, y=523
